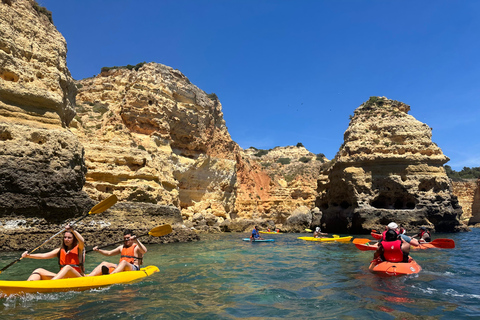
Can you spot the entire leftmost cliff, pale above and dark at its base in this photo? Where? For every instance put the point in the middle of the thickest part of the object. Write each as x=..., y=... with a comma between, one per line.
x=42, y=169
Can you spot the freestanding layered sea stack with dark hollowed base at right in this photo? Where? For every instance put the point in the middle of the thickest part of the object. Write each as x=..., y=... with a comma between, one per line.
x=387, y=169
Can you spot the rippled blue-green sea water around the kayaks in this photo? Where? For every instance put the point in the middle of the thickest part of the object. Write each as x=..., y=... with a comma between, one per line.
x=223, y=277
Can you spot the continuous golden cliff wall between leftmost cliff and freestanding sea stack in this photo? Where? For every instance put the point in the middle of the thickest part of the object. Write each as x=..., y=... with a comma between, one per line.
x=151, y=136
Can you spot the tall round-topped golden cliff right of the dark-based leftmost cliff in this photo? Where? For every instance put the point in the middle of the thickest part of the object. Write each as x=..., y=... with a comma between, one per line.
x=151, y=136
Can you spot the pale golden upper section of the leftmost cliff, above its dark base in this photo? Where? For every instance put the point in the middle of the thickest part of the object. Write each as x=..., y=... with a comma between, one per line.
x=35, y=84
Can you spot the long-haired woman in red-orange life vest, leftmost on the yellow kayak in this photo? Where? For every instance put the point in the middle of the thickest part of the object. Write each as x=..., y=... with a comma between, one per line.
x=71, y=257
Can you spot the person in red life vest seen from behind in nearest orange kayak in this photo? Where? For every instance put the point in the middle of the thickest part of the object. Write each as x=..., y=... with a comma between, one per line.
x=393, y=248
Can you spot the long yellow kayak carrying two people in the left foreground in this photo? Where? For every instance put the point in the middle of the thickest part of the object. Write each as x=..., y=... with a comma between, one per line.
x=73, y=284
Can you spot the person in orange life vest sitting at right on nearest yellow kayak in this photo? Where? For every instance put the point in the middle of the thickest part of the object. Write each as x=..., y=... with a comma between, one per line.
x=131, y=258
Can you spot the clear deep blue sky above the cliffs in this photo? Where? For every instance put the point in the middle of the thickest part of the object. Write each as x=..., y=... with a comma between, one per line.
x=293, y=71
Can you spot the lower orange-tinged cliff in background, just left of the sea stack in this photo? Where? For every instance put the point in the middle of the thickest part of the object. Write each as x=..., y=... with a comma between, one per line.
x=284, y=180
